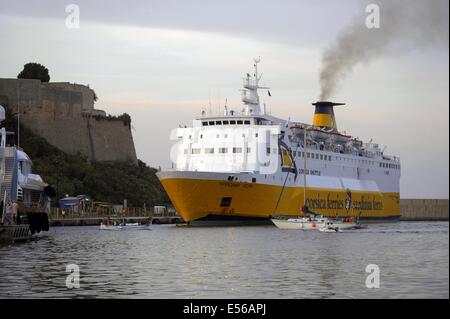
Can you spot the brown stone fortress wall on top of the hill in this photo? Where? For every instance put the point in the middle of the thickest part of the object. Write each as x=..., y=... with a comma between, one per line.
x=64, y=114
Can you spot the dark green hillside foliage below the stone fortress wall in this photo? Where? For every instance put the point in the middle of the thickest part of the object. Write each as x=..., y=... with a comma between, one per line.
x=73, y=174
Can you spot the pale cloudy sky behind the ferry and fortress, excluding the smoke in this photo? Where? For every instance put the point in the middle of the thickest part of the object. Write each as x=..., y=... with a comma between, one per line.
x=163, y=62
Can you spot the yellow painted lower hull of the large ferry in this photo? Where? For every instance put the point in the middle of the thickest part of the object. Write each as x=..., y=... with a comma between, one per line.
x=194, y=199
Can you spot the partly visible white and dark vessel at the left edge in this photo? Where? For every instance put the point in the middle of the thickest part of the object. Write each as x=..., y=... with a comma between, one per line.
x=24, y=196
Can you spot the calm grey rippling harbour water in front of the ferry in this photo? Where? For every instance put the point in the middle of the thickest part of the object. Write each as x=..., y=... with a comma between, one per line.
x=231, y=262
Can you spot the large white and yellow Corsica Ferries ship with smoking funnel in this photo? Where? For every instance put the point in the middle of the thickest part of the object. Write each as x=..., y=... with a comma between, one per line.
x=252, y=164
